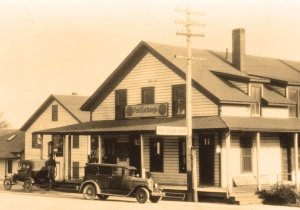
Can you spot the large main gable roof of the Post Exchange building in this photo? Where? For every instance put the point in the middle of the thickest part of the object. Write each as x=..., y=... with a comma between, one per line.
x=205, y=74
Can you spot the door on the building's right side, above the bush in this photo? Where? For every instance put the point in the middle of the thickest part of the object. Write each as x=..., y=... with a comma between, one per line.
x=286, y=157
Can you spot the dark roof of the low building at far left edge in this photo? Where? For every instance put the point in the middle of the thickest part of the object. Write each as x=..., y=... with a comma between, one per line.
x=12, y=141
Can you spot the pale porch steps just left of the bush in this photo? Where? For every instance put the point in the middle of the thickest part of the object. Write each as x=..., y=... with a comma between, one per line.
x=245, y=195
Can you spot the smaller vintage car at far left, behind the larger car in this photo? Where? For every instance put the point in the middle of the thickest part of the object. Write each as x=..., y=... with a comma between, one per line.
x=30, y=173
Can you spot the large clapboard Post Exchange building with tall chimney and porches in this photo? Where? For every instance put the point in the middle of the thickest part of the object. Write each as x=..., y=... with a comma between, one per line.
x=245, y=111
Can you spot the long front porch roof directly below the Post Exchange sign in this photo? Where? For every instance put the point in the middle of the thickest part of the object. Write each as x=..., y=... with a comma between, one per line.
x=103, y=126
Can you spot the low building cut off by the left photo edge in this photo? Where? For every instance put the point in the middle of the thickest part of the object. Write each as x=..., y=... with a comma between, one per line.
x=11, y=151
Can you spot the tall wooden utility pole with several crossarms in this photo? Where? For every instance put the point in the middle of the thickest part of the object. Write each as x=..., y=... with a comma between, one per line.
x=190, y=153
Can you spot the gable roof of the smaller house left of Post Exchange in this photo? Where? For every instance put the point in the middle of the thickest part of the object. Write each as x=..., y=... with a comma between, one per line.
x=71, y=103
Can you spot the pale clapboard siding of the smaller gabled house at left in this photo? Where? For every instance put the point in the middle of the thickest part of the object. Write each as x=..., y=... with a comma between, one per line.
x=44, y=121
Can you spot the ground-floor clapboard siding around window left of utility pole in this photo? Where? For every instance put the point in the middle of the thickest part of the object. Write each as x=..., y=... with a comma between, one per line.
x=170, y=174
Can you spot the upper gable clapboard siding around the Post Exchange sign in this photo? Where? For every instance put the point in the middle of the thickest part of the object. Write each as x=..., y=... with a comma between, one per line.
x=150, y=72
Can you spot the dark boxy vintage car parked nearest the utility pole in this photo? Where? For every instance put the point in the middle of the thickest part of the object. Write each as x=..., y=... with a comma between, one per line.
x=103, y=180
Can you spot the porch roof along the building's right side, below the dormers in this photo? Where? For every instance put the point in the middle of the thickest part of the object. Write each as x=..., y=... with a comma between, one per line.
x=259, y=124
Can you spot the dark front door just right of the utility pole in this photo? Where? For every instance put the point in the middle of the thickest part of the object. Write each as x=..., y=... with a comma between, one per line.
x=206, y=159
